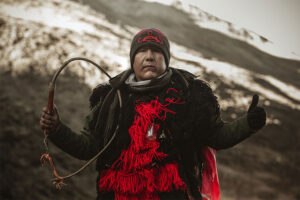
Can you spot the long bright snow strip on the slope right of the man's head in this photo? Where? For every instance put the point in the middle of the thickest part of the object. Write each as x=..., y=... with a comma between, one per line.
x=230, y=73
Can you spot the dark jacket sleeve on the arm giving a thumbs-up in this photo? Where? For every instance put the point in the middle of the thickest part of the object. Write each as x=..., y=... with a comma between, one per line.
x=207, y=123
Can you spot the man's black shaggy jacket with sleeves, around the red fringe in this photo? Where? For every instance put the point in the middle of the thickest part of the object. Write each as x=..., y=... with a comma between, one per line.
x=196, y=124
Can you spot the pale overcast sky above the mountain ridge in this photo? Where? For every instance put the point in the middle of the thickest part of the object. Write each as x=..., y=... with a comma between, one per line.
x=277, y=20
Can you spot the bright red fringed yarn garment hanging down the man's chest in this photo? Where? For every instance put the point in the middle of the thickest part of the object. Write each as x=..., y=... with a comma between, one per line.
x=132, y=176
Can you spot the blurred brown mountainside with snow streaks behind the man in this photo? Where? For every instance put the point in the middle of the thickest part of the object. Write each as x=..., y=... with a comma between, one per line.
x=37, y=36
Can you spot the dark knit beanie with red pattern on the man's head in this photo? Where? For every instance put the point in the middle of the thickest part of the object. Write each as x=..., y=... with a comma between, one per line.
x=150, y=37
